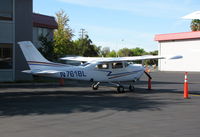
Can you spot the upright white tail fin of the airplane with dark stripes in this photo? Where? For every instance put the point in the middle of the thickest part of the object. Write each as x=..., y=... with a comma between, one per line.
x=32, y=55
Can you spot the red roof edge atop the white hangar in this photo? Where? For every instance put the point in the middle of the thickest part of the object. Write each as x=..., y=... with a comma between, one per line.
x=178, y=36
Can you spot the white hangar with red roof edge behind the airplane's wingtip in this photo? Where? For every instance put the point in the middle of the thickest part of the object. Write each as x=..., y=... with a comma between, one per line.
x=186, y=44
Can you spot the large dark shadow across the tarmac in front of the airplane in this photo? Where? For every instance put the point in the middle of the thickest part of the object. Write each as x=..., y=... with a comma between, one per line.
x=65, y=102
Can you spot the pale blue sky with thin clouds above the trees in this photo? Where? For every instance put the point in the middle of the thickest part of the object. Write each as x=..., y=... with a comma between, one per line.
x=122, y=23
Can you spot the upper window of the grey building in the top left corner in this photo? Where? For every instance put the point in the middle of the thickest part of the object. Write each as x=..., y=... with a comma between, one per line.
x=6, y=9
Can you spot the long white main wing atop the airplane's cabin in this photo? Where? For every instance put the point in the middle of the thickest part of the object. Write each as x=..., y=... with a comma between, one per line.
x=133, y=58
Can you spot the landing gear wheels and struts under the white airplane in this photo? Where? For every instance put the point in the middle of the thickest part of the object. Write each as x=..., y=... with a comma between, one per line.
x=120, y=88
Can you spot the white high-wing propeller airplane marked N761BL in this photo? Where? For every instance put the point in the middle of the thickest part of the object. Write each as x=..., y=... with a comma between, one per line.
x=95, y=69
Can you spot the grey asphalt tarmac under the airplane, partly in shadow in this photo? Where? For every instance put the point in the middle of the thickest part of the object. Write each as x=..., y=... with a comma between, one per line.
x=75, y=110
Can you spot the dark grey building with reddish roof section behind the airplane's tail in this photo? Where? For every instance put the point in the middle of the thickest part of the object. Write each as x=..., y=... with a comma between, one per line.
x=19, y=23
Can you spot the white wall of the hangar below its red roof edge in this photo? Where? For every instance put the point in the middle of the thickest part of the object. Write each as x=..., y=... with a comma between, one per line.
x=189, y=49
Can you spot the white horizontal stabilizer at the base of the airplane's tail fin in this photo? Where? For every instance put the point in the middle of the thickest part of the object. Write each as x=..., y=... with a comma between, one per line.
x=41, y=72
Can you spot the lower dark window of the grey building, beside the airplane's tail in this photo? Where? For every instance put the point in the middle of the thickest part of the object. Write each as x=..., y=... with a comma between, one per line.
x=5, y=56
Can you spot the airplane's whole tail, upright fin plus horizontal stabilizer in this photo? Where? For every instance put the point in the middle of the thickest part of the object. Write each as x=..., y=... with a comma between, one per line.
x=37, y=63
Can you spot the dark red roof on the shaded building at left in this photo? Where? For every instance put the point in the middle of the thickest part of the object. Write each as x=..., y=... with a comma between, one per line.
x=44, y=21
